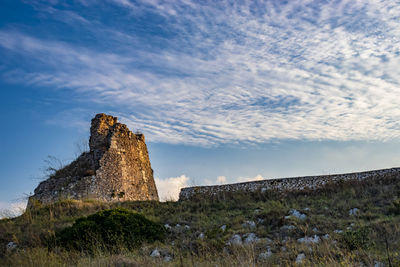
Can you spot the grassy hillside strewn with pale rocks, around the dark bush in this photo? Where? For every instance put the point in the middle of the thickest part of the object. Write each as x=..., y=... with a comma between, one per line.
x=353, y=223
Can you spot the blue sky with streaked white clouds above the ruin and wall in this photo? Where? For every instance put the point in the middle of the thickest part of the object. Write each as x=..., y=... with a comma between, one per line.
x=224, y=91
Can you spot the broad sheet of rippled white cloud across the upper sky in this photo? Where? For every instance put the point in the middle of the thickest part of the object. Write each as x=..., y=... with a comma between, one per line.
x=237, y=72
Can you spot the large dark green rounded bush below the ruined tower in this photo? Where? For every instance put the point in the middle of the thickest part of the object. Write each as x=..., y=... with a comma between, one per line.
x=110, y=230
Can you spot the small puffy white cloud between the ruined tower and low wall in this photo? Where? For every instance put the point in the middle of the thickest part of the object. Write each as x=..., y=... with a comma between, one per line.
x=169, y=188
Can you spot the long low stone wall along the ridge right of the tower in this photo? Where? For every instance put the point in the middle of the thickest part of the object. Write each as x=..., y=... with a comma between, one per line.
x=287, y=184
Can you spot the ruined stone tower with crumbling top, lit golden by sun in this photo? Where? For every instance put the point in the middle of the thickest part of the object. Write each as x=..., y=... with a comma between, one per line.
x=117, y=168
